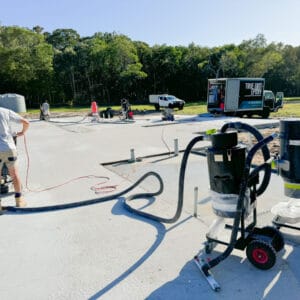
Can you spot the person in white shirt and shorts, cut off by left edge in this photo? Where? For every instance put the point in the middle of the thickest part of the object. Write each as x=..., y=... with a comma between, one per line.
x=8, y=149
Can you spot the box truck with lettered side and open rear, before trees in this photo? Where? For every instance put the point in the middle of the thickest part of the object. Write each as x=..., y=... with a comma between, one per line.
x=242, y=96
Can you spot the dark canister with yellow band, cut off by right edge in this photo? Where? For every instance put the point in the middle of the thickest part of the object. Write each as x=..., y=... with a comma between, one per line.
x=289, y=166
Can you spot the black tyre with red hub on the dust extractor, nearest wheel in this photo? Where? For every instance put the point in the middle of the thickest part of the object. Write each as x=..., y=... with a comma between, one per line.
x=261, y=254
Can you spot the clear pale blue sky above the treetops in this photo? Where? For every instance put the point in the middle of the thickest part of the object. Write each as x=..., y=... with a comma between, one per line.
x=172, y=22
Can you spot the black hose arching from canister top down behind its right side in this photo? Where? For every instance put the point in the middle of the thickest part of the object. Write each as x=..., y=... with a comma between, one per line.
x=265, y=151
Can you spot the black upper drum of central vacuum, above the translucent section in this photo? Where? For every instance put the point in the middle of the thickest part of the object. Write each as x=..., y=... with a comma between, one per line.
x=226, y=163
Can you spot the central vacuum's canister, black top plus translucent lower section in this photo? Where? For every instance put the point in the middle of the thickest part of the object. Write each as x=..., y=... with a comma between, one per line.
x=226, y=163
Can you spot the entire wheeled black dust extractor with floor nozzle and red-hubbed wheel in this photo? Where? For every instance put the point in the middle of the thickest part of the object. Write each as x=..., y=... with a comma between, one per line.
x=235, y=187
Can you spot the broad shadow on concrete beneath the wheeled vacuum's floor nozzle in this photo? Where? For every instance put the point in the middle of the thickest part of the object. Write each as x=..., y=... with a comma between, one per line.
x=238, y=279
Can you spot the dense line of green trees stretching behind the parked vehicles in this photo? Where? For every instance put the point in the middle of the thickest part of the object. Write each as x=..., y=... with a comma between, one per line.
x=68, y=69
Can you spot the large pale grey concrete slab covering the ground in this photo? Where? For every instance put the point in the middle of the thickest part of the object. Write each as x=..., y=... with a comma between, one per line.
x=103, y=251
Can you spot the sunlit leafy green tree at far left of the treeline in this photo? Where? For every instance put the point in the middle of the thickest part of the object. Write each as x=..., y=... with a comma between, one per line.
x=26, y=62
